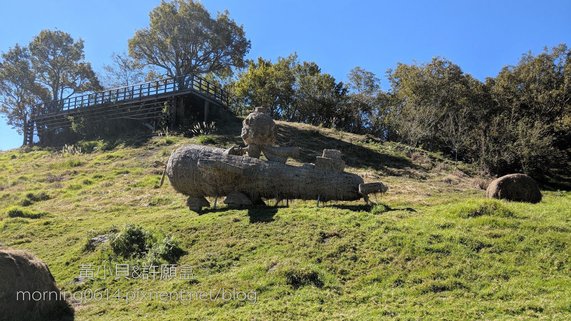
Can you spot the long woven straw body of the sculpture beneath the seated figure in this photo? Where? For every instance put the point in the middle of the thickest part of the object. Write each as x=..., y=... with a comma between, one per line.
x=199, y=171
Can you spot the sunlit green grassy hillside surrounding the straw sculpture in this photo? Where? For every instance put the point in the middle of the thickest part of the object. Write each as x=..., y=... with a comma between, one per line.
x=433, y=248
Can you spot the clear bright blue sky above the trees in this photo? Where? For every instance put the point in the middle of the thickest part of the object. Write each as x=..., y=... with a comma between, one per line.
x=481, y=36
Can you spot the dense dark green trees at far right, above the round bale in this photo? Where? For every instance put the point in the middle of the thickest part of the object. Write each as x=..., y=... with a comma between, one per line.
x=516, y=122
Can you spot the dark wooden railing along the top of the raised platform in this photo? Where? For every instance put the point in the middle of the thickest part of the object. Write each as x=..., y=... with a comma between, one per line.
x=172, y=86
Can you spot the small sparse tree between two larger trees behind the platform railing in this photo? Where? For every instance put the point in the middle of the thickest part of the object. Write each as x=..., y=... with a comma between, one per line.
x=124, y=71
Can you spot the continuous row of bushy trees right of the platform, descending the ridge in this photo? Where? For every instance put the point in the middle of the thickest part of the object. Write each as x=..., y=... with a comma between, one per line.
x=516, y=122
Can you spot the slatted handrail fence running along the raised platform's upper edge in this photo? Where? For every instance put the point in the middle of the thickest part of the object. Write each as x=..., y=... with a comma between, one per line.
x=135, y=91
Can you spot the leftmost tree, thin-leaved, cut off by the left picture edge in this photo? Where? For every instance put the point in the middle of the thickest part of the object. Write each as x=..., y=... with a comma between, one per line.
x=19, y=95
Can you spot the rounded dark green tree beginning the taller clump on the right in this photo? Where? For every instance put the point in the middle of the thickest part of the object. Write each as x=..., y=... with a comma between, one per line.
x=434, y=104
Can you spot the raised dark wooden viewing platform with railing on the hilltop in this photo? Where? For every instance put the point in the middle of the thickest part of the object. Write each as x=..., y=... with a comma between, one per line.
x=143, y=102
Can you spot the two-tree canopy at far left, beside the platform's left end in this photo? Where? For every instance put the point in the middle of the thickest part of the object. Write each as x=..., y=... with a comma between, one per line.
x=50, y=68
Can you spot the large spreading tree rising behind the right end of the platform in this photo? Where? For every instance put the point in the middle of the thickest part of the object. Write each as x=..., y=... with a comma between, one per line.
x=184, y=39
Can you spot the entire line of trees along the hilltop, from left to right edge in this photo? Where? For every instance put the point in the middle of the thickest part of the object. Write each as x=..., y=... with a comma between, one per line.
x=519, y=120
